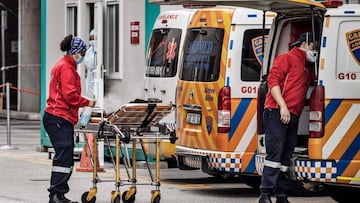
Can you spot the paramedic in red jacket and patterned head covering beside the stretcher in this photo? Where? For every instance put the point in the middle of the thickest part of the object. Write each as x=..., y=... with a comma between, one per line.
x=61, y=114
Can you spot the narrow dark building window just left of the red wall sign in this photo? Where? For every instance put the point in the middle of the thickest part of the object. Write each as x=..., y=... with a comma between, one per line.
x=111, y=59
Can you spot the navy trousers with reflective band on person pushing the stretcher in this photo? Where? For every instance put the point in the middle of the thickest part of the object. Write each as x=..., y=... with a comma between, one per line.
x=61, y=134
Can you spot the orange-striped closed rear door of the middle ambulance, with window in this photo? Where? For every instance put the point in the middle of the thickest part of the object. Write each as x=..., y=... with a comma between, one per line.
x=201, y=77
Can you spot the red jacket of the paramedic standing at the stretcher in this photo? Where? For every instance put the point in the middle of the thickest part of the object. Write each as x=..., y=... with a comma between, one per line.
x=65, y=91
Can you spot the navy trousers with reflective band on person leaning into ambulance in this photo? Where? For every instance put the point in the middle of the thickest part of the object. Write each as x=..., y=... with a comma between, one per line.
x=280, y=141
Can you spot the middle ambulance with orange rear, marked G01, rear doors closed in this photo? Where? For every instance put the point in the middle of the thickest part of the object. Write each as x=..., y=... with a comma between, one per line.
x=215, y=94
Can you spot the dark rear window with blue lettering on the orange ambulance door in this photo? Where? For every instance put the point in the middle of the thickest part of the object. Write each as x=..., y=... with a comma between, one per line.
x=202, y=54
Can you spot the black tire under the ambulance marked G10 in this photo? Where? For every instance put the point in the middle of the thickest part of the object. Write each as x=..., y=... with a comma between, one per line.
x=342, y=194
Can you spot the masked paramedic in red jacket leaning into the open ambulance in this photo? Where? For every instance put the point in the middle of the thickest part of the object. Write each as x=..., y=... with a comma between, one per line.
x=288, y=82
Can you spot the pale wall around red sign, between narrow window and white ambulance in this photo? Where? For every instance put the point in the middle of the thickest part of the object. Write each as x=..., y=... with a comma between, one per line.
x=132, y=59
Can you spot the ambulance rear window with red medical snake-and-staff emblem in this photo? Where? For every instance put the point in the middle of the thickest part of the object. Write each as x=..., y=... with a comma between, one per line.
x=163, y=53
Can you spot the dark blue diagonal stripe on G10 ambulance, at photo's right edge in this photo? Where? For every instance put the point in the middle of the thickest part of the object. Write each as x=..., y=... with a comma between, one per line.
x=349, y=155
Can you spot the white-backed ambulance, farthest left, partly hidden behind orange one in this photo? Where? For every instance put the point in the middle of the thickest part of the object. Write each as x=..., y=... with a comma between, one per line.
x=161, y=71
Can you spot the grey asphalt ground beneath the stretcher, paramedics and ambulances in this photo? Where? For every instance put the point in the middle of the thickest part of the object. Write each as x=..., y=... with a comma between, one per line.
x=25, y=176
